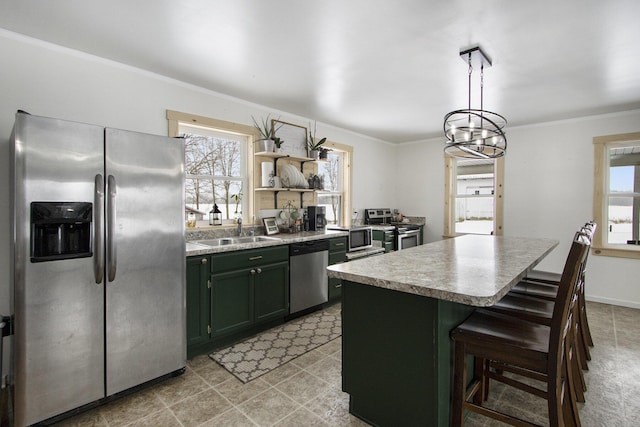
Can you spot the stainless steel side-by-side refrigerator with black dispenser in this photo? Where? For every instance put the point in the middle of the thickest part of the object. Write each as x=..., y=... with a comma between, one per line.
x=98, y=263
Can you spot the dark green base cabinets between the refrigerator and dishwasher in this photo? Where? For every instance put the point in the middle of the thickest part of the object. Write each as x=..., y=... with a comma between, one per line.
x=232, y=295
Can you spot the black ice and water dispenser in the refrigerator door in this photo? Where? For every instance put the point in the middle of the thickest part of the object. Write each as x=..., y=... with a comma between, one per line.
x=60, y=230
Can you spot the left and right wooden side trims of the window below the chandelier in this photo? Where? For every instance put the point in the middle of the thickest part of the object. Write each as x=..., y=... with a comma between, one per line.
x=451, y=191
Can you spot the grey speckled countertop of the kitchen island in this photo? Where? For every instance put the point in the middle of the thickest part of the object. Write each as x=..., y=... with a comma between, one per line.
x=472, y=269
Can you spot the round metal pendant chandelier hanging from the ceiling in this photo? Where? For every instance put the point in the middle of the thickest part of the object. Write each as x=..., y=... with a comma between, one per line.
x=471, y=133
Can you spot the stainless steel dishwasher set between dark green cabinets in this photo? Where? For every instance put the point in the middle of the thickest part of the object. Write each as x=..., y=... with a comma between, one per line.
x=308, y=274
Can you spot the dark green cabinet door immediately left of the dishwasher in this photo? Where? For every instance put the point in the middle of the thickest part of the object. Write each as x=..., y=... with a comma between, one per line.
x=271, y=291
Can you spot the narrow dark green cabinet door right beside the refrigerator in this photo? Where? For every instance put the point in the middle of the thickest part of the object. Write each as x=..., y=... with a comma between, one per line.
x=198, y=300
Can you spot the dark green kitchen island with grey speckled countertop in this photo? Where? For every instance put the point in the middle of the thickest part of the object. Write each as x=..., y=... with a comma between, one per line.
x=398, y=310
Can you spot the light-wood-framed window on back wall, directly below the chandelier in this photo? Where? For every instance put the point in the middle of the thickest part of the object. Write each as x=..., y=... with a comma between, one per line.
x=473, y=196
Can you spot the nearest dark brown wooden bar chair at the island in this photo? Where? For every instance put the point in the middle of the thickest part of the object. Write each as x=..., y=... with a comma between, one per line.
x=520, y=346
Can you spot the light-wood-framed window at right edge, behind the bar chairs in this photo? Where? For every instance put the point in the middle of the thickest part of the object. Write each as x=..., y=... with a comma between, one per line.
x=617, y=195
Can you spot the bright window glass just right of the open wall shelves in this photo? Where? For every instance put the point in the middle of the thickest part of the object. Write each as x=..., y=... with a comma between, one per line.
x=331, y=173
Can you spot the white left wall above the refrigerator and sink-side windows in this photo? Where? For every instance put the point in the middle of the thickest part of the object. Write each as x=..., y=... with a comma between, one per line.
x=47, y=80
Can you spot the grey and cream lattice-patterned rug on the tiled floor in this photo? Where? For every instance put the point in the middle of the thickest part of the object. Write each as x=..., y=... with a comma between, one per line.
x=264, y=352
